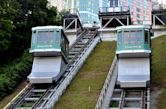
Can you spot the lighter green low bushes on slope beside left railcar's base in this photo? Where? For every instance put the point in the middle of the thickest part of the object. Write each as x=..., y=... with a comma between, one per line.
x=12, y=74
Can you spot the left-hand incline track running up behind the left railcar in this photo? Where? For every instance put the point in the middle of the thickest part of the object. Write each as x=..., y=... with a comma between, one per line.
x=39, y=96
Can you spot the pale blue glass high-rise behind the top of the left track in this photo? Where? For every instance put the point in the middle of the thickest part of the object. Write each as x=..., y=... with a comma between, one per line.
x=88, y=9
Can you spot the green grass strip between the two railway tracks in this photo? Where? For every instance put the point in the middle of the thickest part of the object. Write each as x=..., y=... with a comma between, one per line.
x=92, y=74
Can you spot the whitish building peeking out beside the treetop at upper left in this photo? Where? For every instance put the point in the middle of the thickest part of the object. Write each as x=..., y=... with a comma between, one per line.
x=60, y=4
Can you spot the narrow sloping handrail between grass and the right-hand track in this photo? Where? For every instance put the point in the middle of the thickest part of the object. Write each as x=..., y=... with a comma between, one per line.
x=106, y=84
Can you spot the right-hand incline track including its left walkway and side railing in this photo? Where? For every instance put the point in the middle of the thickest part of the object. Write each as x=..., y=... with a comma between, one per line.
x=114, y=97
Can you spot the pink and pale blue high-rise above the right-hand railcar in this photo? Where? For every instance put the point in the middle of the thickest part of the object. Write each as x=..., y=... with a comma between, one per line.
x=141, y=10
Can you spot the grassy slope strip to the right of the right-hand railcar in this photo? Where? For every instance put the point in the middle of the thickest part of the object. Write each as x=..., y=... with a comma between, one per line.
x=159, y=69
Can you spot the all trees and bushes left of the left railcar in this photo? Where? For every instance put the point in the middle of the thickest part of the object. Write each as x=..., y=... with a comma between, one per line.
x=17, y=17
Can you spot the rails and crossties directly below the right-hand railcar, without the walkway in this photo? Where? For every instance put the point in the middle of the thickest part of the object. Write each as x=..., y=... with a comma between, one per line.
x=130, y=99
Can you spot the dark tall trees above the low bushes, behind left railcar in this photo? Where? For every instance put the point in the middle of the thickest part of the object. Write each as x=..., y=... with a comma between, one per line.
x=17, y=17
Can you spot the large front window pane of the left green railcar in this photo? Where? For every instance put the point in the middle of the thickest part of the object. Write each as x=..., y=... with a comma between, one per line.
x=45, y=37
